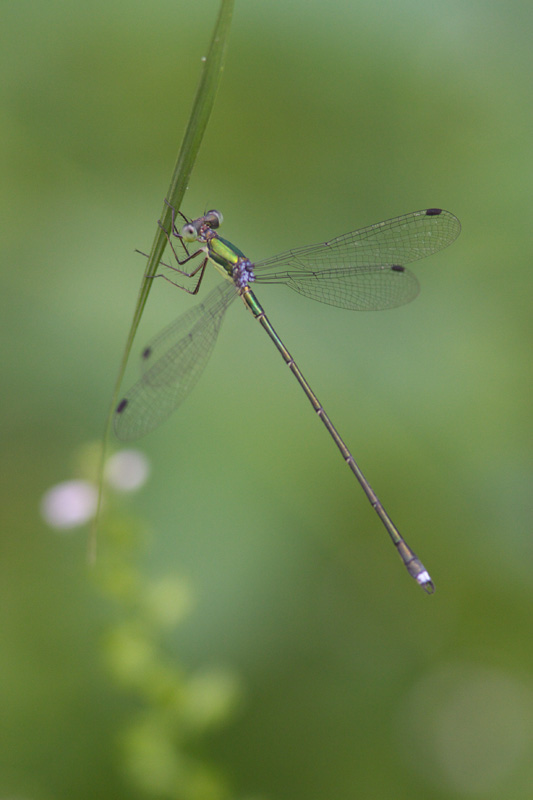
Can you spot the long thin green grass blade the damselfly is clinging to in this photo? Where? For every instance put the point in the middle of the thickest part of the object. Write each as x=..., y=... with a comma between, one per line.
x=201, y=111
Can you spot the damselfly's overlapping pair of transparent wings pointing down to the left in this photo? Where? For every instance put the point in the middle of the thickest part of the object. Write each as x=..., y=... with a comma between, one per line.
x=172, y=364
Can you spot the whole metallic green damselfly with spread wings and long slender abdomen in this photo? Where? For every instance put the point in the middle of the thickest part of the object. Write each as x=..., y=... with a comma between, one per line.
x=361, y=271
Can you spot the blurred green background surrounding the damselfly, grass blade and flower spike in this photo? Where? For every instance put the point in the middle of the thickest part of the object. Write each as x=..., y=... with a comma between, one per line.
x=330, y=117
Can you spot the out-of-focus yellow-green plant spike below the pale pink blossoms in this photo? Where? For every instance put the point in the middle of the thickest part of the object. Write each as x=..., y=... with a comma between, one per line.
x=174, y=709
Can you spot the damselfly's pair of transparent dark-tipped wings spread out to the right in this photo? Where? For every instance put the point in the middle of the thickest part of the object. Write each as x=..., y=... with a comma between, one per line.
x=364, y=270
